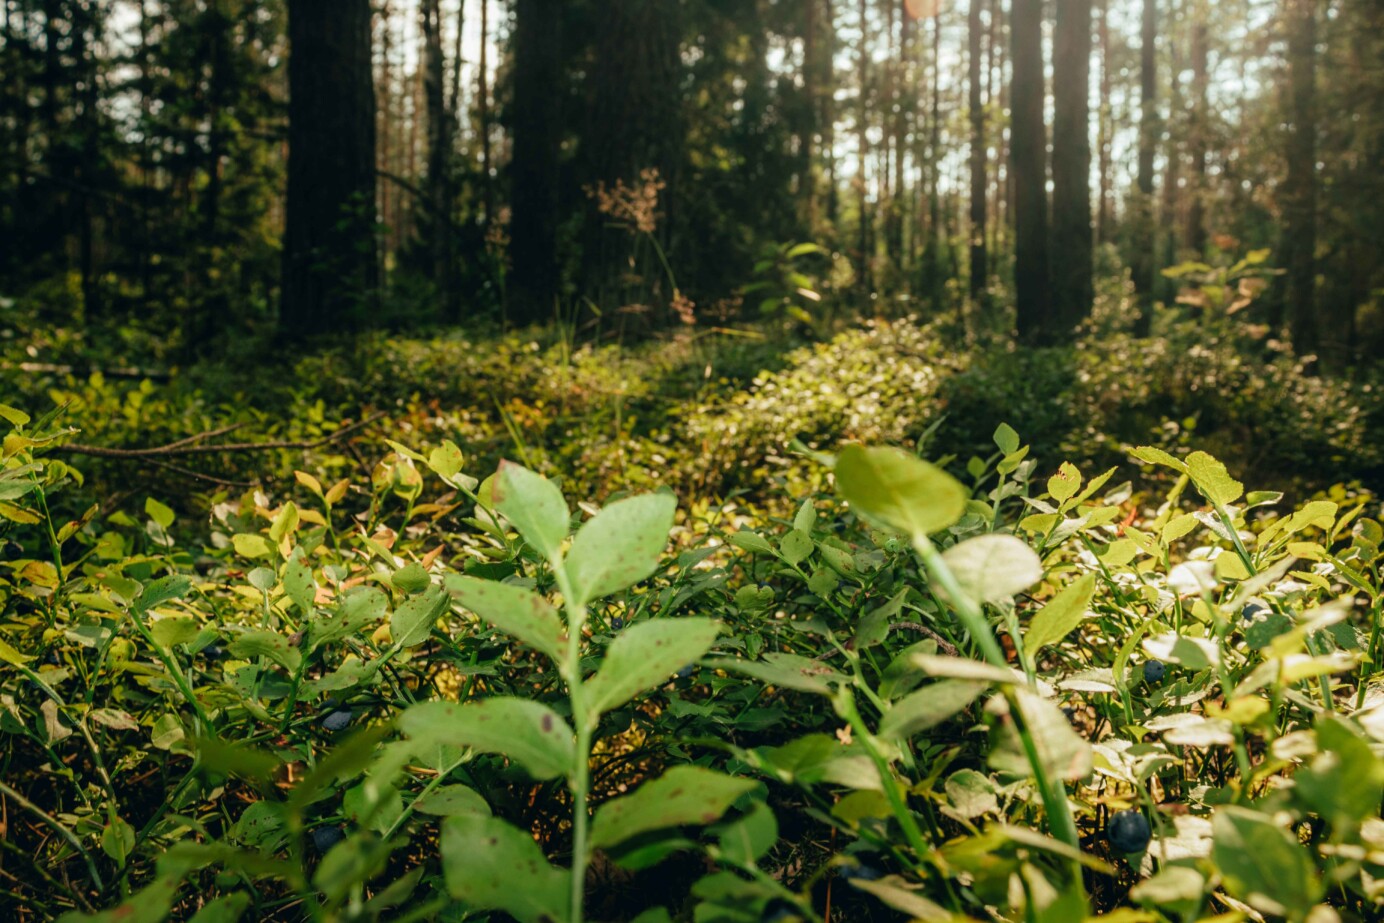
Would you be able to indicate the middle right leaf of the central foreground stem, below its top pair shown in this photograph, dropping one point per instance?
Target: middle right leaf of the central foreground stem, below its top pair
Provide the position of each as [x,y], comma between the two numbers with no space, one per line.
[644,657]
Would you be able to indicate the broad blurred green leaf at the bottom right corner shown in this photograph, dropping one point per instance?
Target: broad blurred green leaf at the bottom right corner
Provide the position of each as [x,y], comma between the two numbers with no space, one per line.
[1263,864]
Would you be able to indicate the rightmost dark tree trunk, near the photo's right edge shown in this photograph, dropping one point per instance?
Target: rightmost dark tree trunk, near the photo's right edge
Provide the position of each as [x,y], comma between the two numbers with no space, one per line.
[1300,192]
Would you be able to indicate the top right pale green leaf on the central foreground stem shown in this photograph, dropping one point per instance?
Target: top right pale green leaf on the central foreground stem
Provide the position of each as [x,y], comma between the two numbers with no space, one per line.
[621,546]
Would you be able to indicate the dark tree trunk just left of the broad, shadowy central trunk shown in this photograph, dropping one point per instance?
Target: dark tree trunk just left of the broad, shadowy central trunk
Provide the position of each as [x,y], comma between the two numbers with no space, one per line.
[534,280]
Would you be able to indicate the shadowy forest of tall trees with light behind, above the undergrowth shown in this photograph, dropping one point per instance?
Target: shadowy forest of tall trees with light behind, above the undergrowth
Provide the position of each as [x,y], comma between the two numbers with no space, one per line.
[226,170]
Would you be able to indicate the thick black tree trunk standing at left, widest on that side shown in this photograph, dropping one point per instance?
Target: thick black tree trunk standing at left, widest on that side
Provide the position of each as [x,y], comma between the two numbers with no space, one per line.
[330,259]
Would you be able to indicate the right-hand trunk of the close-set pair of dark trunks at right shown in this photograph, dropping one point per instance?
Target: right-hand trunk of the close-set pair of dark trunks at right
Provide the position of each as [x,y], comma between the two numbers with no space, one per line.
[1072,239]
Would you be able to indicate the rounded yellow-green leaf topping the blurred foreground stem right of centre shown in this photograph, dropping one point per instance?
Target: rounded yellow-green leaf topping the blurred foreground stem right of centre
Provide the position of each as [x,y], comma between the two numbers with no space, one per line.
[898,491]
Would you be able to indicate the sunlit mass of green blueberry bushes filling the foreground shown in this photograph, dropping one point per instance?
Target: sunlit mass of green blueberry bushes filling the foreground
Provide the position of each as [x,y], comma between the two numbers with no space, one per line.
[426,695]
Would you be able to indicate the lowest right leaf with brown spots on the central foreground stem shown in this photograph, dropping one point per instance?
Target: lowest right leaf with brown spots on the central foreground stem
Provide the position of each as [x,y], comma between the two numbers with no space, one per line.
[683,795]
